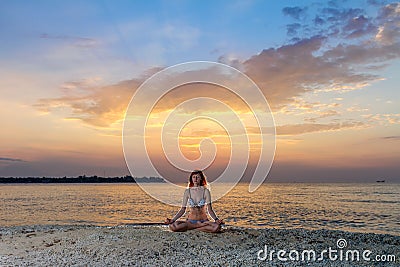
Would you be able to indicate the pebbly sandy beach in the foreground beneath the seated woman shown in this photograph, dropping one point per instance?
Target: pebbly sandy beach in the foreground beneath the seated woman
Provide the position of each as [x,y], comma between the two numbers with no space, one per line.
[158,246]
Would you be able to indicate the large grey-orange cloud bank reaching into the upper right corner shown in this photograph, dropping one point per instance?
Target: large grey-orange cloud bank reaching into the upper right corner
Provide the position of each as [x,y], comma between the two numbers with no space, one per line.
[330,59]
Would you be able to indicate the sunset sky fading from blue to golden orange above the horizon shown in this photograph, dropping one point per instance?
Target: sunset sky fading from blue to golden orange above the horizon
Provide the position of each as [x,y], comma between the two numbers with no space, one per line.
[328,69]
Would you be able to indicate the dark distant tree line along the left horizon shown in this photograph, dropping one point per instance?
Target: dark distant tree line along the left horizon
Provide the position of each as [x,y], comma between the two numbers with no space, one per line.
[81,179]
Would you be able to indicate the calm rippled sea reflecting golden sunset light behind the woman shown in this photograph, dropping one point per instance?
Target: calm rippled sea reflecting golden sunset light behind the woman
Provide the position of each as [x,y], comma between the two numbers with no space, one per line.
[350,207]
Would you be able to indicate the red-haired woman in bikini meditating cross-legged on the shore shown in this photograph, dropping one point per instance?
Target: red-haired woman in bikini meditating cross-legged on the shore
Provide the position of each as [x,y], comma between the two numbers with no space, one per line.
[198,197]
